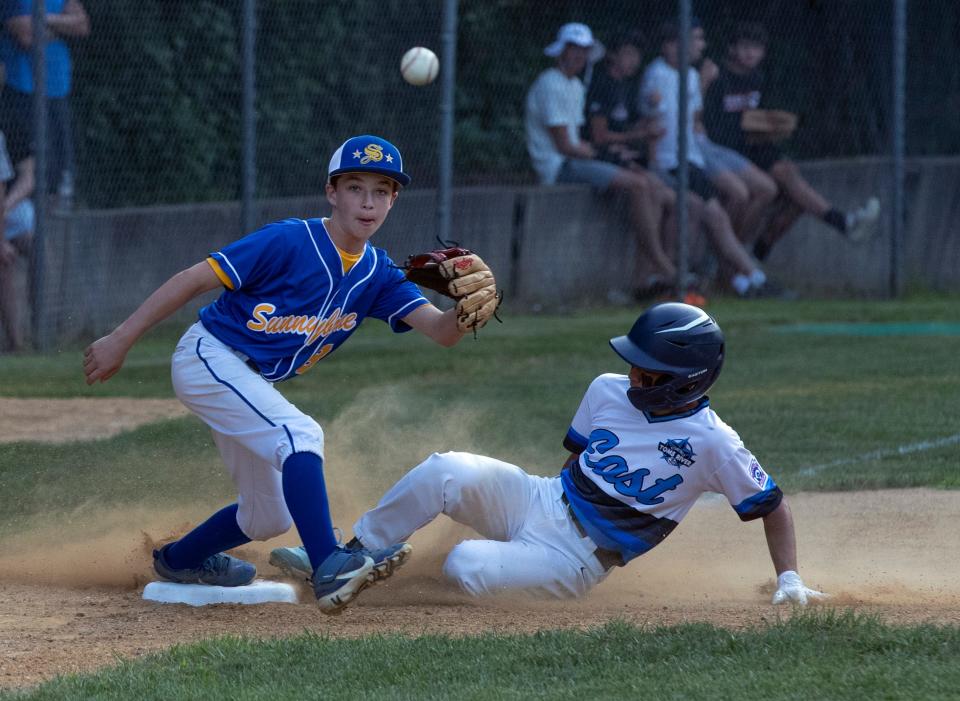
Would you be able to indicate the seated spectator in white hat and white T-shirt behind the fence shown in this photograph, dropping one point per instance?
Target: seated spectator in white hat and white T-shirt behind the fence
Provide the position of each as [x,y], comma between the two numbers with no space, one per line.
[554,114]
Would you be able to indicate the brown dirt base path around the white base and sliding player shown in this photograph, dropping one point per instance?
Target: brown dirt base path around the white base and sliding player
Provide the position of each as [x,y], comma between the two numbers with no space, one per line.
[79,607]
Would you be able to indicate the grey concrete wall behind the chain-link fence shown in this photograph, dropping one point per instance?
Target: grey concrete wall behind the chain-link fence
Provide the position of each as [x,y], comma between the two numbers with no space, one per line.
[557,247]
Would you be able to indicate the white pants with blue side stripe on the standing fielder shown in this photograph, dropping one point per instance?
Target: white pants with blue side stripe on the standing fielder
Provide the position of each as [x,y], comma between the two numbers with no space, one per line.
[254,426]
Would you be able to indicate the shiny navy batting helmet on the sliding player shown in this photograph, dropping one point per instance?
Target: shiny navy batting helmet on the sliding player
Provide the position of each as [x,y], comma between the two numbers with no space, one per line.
[679,341]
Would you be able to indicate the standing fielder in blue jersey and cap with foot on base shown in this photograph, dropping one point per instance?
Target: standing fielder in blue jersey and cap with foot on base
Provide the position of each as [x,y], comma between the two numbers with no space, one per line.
[294,291]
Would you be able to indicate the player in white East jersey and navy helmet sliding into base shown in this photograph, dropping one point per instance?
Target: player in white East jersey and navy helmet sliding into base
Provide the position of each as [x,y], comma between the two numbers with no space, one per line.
[644,446]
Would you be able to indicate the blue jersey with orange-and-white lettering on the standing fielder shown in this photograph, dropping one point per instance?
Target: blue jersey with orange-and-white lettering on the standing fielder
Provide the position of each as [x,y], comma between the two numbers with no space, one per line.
[288,302]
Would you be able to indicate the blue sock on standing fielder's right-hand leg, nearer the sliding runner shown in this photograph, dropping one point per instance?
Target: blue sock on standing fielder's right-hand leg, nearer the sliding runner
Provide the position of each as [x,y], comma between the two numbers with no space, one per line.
[306,495]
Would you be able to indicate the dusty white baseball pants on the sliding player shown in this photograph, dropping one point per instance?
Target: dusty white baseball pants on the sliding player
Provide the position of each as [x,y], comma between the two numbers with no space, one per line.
[531,544]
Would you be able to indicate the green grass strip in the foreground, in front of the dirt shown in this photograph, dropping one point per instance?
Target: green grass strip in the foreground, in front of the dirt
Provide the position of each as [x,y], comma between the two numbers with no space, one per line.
[813,656]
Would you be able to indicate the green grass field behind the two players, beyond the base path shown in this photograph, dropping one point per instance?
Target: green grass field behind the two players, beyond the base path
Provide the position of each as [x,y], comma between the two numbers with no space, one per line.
[799,401]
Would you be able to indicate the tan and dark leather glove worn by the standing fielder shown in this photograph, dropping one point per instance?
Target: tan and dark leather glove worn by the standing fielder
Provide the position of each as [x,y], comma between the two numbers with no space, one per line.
[462,275]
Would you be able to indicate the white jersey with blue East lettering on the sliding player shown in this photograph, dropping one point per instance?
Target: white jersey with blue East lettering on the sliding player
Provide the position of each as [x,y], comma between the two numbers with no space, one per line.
[638,475]
